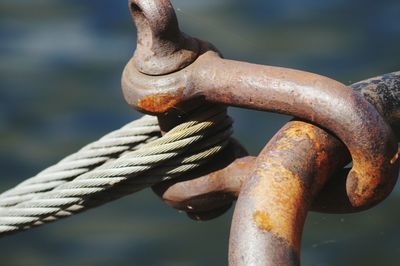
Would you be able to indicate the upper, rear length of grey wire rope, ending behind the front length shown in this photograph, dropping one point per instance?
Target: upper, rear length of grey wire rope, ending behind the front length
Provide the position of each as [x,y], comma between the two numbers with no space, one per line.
[87,158]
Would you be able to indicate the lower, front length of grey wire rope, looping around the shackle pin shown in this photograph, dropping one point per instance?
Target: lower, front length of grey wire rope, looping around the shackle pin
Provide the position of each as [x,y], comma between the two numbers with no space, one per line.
[182,149]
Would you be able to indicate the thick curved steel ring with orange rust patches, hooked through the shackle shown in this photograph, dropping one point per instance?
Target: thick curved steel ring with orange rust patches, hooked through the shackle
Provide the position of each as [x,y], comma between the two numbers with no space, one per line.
[273,203]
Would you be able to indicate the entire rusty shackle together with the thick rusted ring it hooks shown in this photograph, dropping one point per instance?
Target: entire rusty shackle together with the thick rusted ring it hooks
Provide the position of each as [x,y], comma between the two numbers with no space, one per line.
[300,169]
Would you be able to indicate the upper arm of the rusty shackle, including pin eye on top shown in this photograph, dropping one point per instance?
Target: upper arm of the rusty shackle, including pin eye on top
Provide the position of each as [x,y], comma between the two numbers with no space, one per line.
[312,97]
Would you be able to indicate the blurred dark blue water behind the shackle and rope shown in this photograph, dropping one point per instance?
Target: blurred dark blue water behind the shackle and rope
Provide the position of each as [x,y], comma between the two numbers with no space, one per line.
[60,67]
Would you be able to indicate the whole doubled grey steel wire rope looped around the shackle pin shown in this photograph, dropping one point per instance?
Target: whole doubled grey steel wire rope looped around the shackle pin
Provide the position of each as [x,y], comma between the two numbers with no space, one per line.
[94,176]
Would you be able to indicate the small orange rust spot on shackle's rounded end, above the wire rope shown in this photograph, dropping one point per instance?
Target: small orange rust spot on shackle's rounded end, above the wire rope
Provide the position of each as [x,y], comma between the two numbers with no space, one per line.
[159,103]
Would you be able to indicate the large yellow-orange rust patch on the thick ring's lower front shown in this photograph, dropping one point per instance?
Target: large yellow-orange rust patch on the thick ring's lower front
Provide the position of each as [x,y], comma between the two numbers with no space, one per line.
[279,193]
